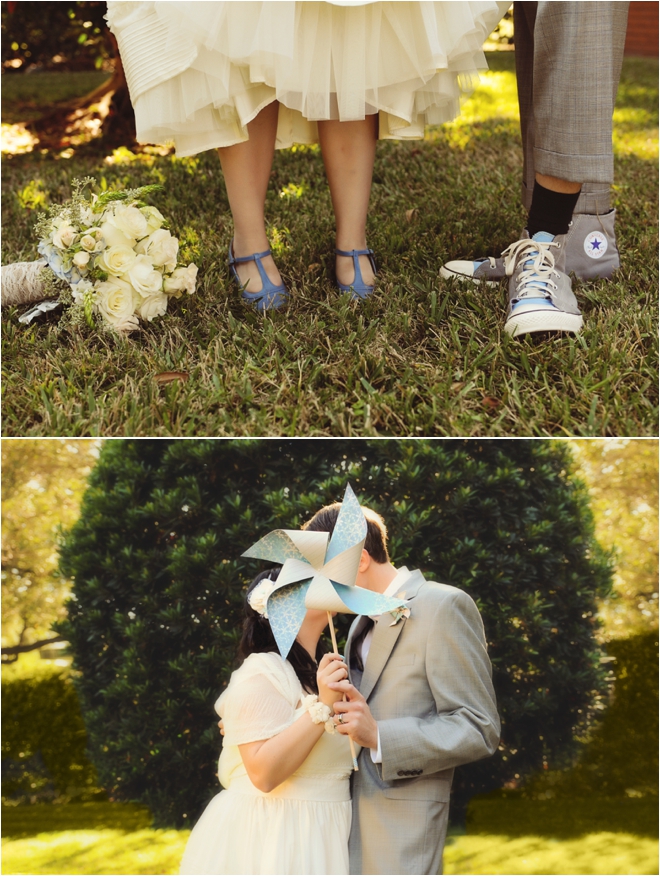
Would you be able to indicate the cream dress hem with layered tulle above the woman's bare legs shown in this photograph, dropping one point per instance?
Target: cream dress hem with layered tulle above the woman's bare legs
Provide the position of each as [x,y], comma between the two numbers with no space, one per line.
[198,72]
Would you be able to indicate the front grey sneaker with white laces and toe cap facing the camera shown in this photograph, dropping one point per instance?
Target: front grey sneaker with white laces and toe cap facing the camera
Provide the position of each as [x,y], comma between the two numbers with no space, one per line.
[540,293]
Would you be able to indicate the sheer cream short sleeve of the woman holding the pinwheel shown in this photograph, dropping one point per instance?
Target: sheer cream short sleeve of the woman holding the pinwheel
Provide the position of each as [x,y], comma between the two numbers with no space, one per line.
[260,701]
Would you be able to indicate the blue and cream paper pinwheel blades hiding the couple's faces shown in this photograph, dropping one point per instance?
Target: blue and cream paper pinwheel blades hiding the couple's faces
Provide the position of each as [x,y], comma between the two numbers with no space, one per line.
[317,573]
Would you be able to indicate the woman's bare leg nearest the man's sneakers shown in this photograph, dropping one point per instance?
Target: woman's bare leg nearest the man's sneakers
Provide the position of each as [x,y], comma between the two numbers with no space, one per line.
[349,149]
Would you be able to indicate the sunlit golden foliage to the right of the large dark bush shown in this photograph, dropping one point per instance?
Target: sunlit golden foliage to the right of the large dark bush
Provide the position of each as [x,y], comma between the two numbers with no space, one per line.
[622,476]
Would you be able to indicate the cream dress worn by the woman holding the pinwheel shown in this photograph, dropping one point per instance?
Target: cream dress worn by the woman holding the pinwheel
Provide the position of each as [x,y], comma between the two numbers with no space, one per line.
[300,827]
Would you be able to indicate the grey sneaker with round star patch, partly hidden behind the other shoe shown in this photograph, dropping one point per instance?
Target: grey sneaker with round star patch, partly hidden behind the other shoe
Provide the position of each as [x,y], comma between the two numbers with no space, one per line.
[590,251]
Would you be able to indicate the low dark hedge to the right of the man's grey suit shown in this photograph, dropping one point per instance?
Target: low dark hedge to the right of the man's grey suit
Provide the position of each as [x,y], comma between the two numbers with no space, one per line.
[614,784]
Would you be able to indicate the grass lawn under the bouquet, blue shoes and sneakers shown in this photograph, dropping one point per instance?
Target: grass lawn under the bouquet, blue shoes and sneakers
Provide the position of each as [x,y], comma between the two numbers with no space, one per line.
[423,357]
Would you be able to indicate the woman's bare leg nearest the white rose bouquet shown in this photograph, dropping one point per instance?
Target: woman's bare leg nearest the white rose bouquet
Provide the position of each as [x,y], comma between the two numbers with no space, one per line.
[246,168]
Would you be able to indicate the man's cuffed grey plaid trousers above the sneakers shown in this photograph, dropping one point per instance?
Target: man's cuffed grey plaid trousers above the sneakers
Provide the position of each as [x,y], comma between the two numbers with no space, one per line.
[568,63]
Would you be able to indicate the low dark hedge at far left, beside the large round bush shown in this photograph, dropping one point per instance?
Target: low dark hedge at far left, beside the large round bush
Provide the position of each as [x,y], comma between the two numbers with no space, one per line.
[44,738]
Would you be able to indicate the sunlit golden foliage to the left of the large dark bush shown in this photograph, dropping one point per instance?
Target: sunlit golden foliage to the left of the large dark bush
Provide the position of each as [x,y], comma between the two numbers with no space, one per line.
[42,484]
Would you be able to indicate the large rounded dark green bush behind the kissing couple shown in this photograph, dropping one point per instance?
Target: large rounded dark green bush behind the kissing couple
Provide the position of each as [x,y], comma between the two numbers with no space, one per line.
[155,615]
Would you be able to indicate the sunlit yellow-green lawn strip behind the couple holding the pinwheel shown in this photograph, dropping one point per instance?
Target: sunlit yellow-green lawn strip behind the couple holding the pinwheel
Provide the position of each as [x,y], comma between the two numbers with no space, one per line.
[105,838]
